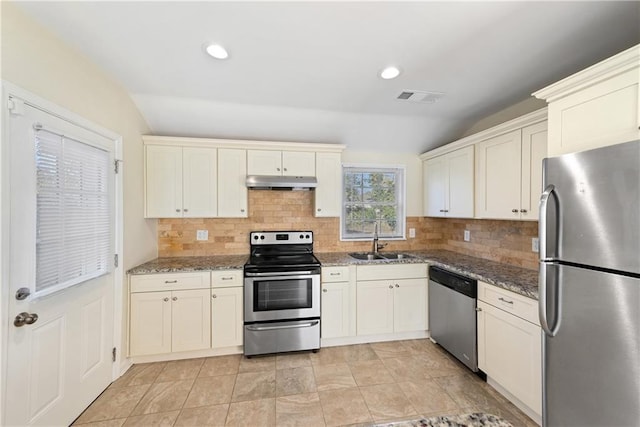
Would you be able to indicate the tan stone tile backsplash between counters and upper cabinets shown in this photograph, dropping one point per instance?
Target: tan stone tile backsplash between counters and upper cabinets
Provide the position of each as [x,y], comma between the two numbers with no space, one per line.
[501,241]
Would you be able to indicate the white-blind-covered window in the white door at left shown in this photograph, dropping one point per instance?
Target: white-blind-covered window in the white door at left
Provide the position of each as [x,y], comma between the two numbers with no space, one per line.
[74,221]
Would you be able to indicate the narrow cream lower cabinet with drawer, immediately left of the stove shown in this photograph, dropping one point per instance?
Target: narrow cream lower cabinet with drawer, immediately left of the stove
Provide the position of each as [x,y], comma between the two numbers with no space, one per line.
[227,315]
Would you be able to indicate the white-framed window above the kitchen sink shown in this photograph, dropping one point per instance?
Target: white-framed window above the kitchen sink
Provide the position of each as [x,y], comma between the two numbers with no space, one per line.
[372,195]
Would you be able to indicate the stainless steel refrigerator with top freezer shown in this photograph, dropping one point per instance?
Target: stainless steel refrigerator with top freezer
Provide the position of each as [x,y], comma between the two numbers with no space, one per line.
[590,287]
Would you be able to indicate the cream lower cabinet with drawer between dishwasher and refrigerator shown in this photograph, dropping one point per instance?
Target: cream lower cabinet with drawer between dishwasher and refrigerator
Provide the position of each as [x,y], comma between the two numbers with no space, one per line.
[510,345]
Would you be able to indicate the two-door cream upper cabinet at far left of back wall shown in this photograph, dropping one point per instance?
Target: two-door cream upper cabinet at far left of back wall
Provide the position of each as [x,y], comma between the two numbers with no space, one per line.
[180,182]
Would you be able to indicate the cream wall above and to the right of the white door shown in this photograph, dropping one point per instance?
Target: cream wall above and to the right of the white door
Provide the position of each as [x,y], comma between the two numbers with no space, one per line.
[37,61]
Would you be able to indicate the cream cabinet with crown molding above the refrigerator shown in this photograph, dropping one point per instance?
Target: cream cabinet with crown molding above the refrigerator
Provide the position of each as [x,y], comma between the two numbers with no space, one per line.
[596,107]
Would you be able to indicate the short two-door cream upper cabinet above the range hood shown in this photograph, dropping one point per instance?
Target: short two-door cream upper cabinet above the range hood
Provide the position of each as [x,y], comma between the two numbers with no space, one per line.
[286,163]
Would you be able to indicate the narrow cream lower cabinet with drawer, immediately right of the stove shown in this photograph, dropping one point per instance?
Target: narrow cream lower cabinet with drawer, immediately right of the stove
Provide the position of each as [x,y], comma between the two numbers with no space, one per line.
[338,303]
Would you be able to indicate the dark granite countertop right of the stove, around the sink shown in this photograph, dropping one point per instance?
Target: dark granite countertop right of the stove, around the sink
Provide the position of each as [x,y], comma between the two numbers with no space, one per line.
[516,279]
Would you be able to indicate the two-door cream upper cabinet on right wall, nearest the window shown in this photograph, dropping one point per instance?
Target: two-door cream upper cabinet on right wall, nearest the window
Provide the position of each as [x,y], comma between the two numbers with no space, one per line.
[448,183]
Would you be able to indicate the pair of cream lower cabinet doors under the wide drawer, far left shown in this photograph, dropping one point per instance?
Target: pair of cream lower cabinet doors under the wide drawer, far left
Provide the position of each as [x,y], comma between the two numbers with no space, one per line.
[169,321]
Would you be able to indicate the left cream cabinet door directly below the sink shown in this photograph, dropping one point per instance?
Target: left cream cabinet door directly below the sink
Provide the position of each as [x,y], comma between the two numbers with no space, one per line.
[374,307]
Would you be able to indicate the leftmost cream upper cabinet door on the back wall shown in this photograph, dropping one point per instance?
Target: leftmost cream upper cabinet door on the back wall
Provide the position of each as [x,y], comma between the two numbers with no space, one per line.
[163,182]
